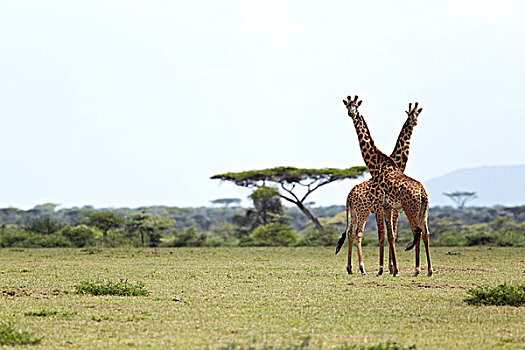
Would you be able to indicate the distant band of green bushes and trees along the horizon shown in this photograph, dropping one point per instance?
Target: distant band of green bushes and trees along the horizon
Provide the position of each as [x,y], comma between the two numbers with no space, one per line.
[45,226]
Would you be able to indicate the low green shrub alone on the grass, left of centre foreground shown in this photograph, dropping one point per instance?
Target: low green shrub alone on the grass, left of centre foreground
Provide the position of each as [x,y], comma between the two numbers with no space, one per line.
[107,287]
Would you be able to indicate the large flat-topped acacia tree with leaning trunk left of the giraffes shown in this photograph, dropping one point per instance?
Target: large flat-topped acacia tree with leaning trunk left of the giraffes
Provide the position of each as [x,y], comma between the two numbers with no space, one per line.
[288,178]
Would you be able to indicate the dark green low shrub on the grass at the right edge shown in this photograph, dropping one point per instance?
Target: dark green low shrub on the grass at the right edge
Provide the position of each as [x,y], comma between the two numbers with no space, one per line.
[503,294]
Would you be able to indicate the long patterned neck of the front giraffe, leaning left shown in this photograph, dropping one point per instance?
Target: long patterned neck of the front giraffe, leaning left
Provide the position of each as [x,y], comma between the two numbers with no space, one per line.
[372,156]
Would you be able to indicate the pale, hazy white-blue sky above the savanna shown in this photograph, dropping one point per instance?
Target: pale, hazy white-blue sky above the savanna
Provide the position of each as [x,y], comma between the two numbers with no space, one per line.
[131,103]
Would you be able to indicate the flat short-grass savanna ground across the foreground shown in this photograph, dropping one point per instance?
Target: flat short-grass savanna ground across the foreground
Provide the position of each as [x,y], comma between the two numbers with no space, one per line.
[213,298]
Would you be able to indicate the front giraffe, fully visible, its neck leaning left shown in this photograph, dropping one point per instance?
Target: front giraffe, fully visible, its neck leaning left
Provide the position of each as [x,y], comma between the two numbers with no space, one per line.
[391,190]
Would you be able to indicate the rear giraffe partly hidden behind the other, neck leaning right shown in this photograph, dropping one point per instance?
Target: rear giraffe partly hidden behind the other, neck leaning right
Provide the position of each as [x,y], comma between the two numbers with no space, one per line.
[359,204]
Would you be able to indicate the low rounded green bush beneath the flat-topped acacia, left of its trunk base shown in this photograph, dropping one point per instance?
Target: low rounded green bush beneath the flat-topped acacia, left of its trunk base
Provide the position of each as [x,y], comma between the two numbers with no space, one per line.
[272,234]
